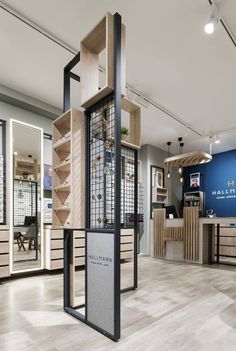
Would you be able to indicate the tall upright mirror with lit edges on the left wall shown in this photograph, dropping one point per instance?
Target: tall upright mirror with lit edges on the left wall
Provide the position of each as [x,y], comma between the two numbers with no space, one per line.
[27,199]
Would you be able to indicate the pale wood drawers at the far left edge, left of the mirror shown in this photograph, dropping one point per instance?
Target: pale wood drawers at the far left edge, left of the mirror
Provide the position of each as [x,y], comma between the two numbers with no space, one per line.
[4,253]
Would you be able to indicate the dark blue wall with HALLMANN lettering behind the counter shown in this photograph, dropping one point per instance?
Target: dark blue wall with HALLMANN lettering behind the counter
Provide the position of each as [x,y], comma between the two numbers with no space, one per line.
[218,181]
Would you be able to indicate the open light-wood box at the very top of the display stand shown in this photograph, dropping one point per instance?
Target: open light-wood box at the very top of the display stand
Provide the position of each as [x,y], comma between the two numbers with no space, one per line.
[100,38]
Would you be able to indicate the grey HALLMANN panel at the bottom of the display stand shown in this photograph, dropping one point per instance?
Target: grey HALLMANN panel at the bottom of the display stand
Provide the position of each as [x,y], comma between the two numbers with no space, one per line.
[100,280]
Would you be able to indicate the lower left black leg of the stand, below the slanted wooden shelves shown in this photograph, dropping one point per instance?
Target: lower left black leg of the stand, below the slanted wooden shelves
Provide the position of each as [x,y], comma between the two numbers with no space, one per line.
[67,260]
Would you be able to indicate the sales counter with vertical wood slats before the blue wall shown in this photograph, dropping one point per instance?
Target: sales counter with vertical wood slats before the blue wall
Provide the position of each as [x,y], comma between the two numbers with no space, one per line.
[190,239]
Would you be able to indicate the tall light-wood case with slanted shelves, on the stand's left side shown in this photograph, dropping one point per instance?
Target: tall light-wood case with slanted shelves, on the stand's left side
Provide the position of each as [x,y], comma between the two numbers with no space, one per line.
[68,170]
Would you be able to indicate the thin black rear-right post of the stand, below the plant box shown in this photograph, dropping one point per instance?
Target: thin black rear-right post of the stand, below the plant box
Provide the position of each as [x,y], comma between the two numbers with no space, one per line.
[135,219]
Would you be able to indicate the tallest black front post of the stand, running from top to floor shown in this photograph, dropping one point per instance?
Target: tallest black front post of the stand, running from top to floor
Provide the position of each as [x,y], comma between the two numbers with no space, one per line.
[117,152]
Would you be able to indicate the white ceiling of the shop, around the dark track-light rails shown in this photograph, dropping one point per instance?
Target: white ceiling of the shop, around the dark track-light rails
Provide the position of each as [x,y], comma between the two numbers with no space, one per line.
[169,59]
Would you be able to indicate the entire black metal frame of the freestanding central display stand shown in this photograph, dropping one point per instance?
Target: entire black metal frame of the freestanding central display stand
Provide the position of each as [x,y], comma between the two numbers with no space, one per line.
[68,233]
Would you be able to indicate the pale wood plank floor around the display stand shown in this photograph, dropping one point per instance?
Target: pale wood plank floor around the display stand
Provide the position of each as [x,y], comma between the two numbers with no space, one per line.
[178,307]
